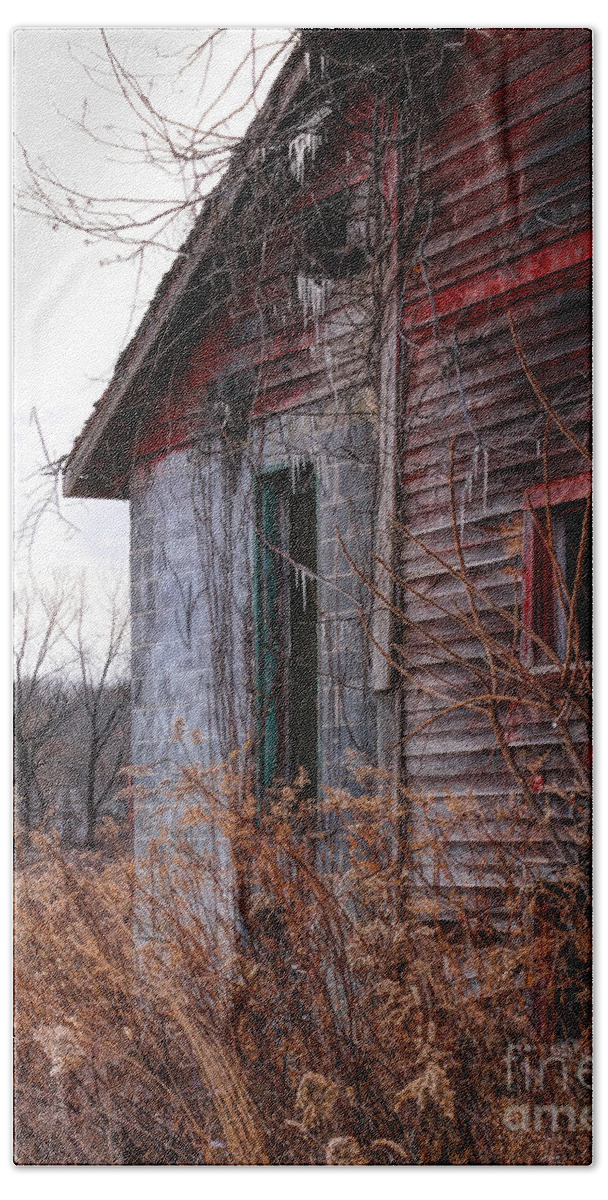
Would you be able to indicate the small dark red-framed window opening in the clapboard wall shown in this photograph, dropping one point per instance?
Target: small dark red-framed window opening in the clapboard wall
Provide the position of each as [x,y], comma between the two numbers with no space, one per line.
[558,580]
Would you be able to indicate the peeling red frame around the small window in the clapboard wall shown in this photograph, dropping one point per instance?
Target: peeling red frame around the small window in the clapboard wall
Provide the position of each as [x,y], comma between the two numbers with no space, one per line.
[539,579]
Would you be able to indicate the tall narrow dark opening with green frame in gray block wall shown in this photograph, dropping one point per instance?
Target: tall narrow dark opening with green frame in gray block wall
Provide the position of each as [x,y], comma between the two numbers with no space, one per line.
[286,627]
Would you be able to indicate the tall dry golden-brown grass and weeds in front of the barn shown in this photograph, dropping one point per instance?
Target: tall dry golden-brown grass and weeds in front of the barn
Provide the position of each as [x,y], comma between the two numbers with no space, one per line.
[359,1015]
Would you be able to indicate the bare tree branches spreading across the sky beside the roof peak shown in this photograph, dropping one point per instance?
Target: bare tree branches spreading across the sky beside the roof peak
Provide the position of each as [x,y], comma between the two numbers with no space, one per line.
[188,154]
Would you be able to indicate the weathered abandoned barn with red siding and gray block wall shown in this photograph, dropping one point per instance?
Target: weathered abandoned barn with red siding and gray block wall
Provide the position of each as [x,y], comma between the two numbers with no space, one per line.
[353,430]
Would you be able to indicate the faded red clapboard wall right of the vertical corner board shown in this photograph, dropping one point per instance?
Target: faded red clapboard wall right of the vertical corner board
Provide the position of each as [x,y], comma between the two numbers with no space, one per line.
[509,176]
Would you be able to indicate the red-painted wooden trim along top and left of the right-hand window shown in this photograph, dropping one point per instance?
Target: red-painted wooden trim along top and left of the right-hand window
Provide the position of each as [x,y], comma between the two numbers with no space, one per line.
[541,497]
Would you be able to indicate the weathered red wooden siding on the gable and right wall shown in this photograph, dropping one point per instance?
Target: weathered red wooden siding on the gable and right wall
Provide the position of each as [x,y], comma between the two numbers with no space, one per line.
[503,195]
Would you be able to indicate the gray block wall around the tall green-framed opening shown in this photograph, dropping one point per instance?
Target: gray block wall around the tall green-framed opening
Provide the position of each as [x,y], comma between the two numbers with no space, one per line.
[192,530]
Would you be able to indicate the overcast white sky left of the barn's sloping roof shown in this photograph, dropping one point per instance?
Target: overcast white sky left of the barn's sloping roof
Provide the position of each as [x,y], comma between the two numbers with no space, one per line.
[74,316]
